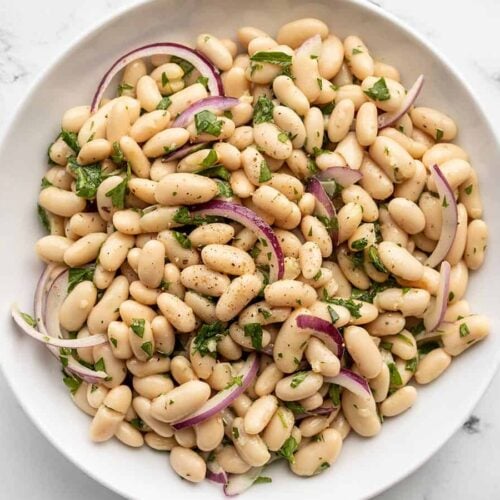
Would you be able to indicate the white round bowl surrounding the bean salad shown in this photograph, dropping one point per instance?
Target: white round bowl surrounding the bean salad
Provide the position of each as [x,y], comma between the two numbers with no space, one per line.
[365,467]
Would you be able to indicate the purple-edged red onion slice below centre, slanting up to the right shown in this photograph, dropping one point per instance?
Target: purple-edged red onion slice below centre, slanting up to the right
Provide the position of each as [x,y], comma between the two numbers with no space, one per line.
[223,398]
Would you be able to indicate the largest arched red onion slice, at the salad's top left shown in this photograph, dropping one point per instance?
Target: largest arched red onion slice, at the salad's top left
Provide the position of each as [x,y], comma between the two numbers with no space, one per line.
[199,61]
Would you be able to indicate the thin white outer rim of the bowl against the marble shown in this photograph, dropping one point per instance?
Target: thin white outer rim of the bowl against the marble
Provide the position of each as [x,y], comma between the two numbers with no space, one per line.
[377,10]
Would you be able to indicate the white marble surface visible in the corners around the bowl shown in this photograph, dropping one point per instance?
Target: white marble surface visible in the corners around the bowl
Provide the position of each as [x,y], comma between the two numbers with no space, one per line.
[32,34]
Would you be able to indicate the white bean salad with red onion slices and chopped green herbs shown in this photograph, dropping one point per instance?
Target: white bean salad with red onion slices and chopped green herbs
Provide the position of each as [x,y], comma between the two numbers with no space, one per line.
[255,248]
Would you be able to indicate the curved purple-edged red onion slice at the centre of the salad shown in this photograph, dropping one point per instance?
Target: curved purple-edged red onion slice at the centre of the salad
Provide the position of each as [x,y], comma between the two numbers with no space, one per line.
[252,221]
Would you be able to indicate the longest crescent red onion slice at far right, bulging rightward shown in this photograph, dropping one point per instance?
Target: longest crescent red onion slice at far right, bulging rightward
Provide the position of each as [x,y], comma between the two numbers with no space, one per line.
[449,218]
